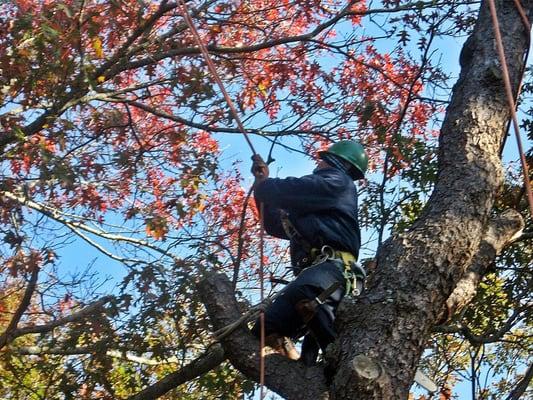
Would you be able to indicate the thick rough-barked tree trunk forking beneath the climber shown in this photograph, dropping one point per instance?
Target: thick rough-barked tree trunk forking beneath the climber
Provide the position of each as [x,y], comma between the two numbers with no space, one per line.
[383,334]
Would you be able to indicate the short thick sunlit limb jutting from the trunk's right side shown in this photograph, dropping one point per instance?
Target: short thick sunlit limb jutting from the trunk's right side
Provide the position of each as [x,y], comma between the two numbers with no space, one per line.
[500,232]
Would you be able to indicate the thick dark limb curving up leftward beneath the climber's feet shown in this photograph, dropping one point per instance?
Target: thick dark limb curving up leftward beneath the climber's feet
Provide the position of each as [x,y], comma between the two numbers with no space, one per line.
[288,378]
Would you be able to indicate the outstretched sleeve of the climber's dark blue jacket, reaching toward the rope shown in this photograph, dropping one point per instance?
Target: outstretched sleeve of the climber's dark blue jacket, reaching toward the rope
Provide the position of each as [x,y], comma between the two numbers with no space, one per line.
[306,194]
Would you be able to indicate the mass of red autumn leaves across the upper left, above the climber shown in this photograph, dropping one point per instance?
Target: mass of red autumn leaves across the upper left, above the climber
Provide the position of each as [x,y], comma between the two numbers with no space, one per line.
[109,111]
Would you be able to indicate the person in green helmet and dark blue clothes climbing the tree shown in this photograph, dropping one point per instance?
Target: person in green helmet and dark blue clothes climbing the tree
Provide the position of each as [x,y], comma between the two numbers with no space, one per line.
[318,214]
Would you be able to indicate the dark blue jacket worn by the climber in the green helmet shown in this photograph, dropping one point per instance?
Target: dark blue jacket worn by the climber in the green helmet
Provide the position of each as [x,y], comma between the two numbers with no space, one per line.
[321,206]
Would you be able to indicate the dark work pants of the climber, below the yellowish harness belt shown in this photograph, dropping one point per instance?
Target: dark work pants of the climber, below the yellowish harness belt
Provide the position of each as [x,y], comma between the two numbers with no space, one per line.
[282,318]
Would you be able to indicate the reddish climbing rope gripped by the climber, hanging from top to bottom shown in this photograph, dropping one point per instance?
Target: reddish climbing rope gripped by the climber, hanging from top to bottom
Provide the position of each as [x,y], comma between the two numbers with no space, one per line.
[233,110]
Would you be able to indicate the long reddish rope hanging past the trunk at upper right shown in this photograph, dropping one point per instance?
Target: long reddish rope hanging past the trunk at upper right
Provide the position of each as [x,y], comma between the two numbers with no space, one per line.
[510,99]
